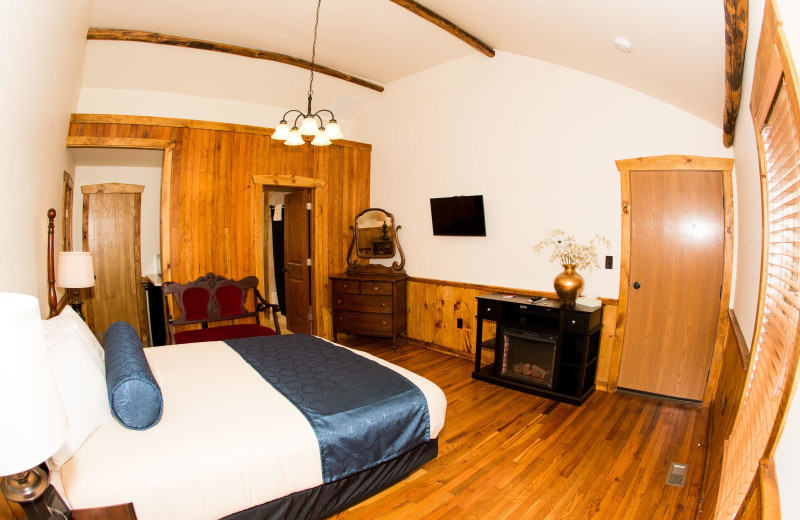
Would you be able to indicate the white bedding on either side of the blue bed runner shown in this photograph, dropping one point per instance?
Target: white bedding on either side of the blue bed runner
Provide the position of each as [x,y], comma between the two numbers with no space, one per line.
[227,441]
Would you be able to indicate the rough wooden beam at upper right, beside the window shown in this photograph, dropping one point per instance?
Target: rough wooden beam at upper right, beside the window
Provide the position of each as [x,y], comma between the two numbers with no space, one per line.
[736,26]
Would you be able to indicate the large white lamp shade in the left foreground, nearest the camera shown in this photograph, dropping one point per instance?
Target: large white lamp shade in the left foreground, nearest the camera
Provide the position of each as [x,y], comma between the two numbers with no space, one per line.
[34,422]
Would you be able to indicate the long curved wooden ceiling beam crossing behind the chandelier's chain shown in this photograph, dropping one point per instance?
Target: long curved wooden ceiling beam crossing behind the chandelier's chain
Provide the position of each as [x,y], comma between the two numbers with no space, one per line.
[247,52]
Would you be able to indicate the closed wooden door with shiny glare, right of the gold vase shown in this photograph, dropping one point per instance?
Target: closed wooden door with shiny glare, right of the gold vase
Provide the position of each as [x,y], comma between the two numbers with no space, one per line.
[675,284]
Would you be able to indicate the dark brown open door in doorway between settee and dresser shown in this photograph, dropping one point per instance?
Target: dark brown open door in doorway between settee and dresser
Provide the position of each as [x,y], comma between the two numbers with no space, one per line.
[296,255]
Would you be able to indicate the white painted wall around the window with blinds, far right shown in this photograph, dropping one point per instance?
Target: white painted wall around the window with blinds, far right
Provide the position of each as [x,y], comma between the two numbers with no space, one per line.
[748,255]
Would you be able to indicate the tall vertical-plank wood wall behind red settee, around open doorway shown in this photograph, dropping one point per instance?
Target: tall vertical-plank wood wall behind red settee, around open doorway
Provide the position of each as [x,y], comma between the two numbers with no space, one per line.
[215,216]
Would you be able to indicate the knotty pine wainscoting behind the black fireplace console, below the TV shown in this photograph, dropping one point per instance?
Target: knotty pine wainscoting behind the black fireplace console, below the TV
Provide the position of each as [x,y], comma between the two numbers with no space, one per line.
[434,307]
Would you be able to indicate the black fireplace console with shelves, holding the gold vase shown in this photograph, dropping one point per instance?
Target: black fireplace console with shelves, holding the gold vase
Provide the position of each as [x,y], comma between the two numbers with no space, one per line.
[540,347]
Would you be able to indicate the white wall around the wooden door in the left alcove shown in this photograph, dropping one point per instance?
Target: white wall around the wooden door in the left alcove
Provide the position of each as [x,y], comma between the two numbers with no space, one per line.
[150,178]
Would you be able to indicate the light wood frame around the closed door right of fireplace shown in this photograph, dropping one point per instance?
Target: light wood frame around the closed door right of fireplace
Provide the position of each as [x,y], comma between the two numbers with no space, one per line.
[687,163]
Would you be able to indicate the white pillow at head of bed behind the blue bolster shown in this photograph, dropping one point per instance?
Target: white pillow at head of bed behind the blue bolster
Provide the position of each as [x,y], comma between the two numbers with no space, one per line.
[81,381]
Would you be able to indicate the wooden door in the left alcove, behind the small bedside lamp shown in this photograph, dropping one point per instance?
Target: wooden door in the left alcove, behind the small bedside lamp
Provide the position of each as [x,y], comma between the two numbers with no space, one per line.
[111,231]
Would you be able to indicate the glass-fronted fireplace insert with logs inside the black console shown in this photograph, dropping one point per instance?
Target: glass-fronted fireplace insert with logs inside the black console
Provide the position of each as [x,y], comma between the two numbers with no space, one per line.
[528,356]
